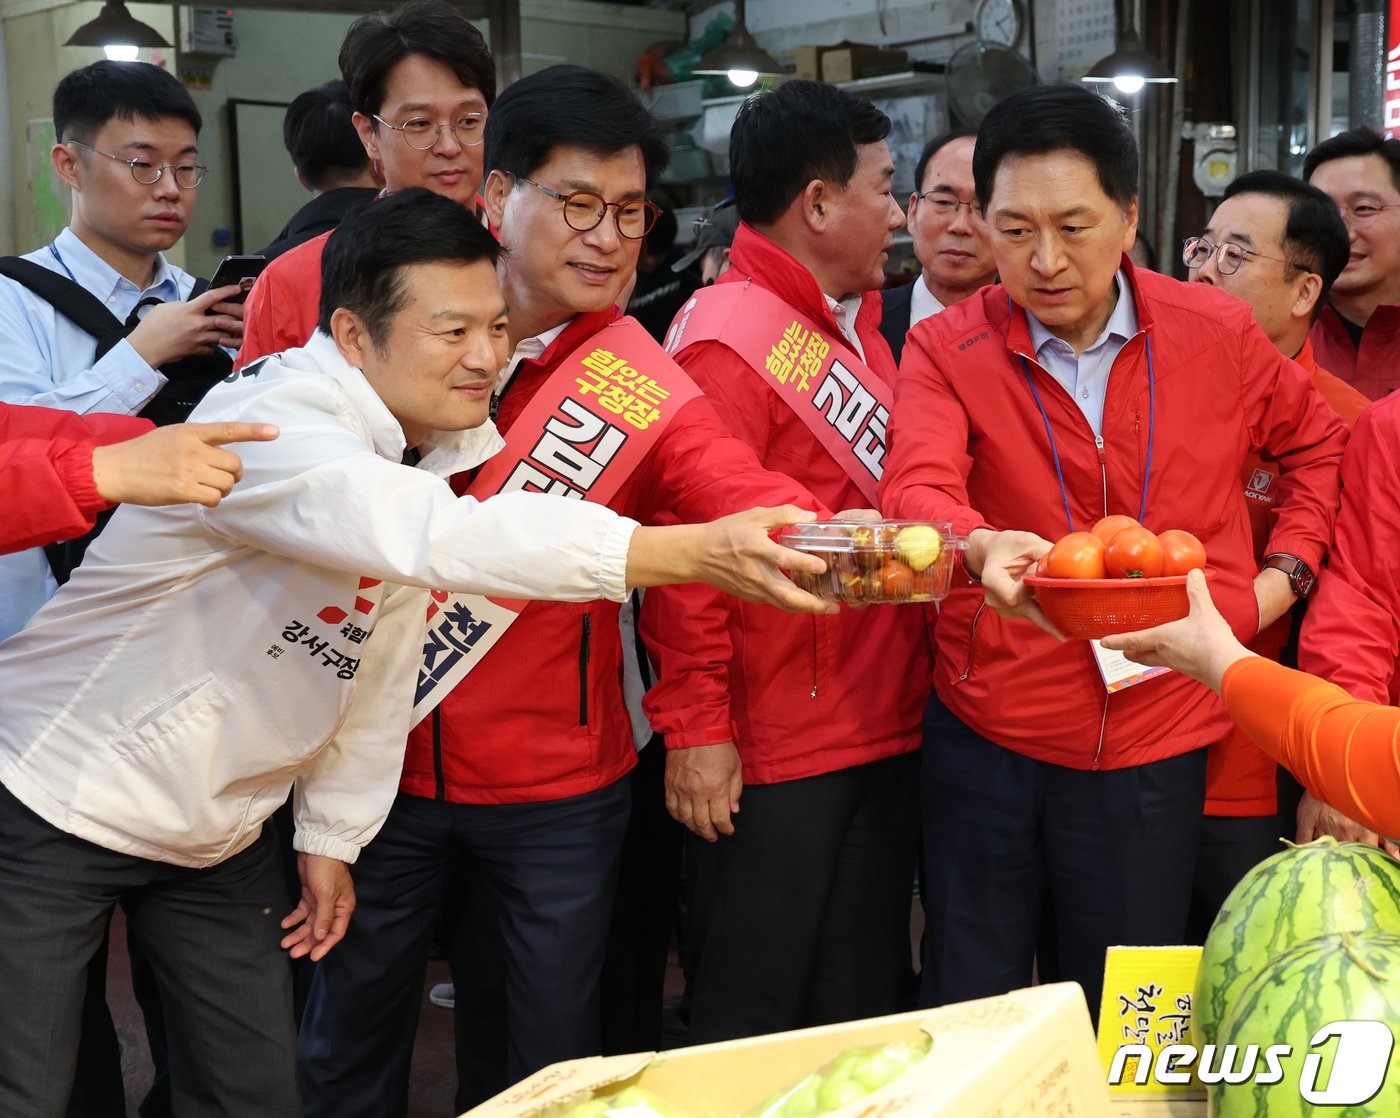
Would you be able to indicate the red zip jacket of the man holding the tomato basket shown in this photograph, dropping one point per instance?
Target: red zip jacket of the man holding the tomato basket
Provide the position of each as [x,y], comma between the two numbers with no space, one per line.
[968,444]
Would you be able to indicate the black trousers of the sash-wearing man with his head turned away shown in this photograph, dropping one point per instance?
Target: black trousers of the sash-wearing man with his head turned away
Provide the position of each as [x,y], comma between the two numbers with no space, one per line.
[801,916]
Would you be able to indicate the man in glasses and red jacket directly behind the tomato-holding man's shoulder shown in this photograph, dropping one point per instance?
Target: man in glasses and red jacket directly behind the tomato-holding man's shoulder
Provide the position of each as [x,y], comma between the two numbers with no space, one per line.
[1279,244]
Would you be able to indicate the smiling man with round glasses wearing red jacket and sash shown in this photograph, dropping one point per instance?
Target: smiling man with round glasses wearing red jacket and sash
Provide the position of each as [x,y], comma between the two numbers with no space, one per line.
[521,773]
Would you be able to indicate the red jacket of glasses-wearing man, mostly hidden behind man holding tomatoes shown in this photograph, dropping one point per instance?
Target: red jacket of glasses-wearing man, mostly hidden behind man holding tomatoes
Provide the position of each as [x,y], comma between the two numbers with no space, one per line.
[1241,780]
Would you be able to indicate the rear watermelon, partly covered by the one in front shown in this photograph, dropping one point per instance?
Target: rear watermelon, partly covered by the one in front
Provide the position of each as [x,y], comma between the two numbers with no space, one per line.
[1300,893]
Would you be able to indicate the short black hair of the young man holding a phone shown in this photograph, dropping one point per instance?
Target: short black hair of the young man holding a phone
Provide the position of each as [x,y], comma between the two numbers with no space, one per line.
[87,99]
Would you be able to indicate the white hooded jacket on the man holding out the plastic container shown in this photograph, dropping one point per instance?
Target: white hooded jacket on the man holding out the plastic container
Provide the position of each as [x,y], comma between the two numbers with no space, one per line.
[204,660]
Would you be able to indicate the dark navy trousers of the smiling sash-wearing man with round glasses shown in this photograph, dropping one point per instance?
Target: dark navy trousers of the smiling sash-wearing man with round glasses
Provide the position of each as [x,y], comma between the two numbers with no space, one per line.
[554,870]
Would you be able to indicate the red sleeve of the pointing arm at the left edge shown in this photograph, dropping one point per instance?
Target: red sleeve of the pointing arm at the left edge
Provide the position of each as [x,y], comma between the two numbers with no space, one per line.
[47,472]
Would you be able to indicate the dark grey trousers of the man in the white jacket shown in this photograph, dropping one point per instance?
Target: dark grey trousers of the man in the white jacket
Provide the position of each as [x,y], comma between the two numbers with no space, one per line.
[211,937]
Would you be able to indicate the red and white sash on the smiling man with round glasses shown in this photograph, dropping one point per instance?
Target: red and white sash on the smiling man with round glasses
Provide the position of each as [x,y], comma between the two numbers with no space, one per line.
[582,436]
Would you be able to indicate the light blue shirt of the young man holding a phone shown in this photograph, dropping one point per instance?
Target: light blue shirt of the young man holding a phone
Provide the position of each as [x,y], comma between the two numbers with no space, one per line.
[47,360]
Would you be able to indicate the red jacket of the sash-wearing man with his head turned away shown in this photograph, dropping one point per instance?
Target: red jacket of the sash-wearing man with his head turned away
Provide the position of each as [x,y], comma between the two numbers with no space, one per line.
[799,695]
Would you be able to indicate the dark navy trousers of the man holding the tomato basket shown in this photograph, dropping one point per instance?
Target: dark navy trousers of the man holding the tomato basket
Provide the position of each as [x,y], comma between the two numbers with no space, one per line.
[1112,853]
